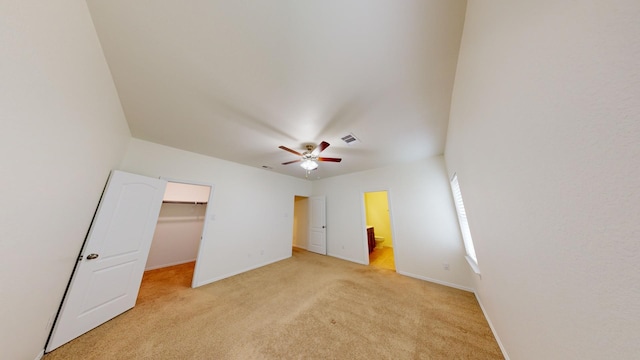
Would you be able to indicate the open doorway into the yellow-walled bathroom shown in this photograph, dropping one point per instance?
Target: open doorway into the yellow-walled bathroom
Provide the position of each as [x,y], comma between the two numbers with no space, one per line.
[379,230]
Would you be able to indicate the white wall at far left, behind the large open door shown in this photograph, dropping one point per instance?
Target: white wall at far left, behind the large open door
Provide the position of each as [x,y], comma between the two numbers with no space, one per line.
[61,131]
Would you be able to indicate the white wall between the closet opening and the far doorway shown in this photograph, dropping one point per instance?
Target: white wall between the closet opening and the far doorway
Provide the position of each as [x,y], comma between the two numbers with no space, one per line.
[251,219]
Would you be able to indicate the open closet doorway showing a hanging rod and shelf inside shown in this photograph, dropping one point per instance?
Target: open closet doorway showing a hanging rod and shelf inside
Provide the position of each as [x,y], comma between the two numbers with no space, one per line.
[176,241]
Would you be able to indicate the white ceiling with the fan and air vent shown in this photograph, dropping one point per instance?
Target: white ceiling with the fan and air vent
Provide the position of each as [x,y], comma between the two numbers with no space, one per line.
[236,79]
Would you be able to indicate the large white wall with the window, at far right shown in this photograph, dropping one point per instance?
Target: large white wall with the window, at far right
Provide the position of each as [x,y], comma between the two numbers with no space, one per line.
[545,138]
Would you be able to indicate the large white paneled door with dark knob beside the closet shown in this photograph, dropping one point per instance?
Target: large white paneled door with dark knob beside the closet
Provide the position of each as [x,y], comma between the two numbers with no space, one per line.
[107,277]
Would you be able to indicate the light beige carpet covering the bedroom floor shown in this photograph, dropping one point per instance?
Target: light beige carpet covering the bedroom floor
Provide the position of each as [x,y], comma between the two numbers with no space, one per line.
[307,307]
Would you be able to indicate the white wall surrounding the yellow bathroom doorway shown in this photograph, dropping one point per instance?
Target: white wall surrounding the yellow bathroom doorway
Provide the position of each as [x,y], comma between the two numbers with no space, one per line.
[424,223]
